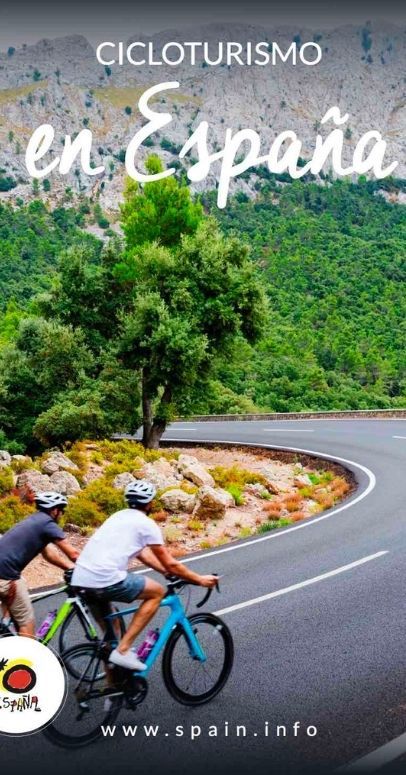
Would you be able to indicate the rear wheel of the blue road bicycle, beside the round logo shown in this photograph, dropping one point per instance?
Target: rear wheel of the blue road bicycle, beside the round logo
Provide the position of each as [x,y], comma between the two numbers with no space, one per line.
[90,704]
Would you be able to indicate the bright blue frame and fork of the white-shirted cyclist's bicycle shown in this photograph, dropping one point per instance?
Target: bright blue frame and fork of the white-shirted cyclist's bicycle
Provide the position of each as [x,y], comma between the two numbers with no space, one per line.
[176,618]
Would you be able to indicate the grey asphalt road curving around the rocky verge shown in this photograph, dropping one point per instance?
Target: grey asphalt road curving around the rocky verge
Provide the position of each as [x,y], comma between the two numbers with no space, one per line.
[329,654]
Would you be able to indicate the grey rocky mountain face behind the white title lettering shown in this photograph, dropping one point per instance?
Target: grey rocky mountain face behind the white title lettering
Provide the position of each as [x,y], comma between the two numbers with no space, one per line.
[60,82]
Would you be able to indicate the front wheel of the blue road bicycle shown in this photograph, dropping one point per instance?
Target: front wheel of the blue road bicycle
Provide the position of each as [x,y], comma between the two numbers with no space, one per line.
[191,681]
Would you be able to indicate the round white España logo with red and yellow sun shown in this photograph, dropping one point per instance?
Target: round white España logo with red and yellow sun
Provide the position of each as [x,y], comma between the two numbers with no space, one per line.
[32,686]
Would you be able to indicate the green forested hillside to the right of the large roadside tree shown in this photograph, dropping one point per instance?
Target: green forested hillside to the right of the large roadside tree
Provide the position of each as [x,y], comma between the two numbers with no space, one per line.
[333,261]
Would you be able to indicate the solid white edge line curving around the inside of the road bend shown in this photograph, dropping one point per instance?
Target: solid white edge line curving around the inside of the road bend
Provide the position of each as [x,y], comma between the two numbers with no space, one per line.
[306,523]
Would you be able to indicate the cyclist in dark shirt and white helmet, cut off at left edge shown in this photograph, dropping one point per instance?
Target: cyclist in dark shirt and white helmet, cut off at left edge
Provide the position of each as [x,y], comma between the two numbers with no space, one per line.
[32,536]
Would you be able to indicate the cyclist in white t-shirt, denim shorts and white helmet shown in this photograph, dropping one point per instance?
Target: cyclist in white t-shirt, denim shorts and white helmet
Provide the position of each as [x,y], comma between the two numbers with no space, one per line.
[102,567]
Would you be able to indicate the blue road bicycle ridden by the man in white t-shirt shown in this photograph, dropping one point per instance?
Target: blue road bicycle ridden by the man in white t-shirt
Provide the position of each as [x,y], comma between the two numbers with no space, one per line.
[197,659]
